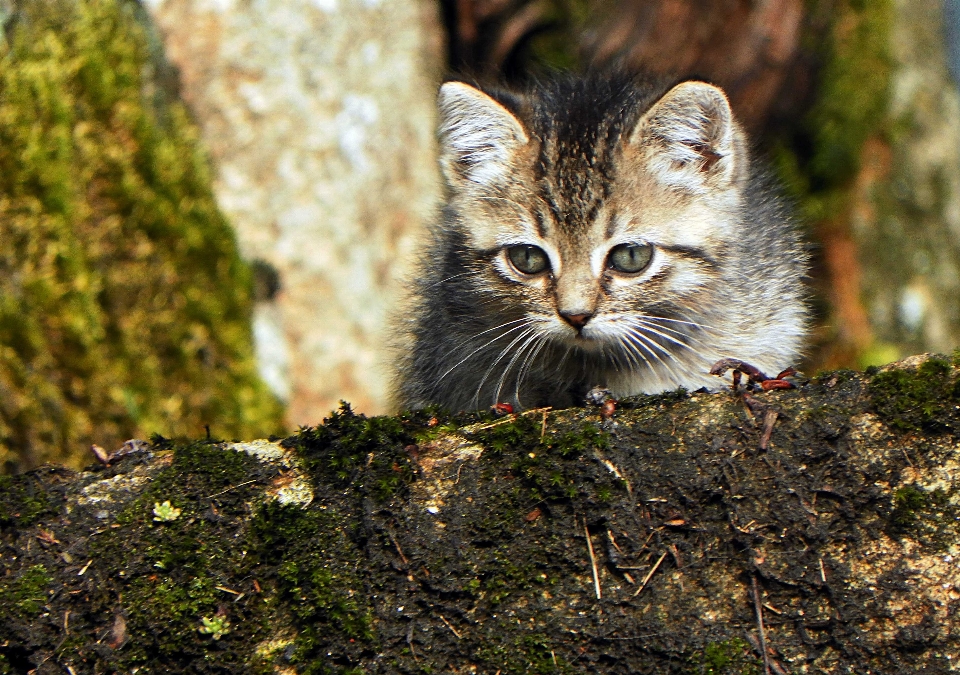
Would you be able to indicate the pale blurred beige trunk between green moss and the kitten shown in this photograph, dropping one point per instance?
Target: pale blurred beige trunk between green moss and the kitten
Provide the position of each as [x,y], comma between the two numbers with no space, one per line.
[319,118]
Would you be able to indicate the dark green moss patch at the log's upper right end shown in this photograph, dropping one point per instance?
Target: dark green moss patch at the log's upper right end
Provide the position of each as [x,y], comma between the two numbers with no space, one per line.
[921,399]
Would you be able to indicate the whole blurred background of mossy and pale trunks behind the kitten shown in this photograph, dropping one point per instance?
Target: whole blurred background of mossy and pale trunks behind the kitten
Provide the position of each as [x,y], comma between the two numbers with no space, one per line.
[207,207]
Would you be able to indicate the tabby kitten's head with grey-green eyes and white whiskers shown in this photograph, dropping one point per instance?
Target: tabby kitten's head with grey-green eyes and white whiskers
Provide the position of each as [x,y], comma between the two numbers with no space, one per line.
[591,208]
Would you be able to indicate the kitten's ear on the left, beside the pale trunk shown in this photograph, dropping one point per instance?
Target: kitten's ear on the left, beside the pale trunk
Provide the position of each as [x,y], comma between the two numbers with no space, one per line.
[478,136]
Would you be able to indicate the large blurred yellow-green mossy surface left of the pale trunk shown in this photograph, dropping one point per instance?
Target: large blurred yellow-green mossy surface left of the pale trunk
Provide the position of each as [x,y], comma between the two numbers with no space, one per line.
[124,306]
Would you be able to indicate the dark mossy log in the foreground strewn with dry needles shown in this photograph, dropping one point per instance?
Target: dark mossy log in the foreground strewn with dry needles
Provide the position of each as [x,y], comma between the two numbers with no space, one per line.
[682,534]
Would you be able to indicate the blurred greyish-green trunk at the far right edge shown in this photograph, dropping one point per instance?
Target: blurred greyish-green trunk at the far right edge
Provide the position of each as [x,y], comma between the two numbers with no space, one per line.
[905,213]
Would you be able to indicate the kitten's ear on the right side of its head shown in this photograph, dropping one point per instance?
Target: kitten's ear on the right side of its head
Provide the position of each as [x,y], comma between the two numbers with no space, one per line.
[689,138]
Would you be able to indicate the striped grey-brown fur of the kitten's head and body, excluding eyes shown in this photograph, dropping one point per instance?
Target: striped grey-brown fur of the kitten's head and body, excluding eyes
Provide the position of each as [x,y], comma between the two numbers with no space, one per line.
[576,167]
